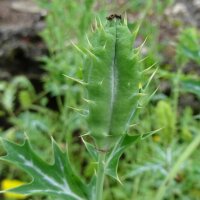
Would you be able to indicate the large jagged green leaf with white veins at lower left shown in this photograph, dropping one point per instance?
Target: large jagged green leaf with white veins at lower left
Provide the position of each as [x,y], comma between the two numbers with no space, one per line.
[56,180]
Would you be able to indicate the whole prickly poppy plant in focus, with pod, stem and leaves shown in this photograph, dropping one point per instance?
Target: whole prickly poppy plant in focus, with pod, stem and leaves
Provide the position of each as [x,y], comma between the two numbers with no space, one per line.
[113,80]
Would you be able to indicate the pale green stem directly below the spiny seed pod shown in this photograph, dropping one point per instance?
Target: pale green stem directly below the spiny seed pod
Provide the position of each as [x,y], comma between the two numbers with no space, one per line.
[100,176]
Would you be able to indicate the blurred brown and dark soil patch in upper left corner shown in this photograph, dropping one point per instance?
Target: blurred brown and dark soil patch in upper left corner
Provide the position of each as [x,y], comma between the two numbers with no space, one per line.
[20,24]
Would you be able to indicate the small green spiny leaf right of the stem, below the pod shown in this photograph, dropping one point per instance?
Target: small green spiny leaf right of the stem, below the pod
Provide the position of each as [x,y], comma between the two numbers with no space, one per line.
[111,164]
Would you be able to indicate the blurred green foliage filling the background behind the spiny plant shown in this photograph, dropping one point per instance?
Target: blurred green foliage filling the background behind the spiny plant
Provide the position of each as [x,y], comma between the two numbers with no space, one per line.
[171,41]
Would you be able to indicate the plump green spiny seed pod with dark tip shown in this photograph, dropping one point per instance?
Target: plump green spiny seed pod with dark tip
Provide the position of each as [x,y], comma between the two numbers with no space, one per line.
[112,72]
